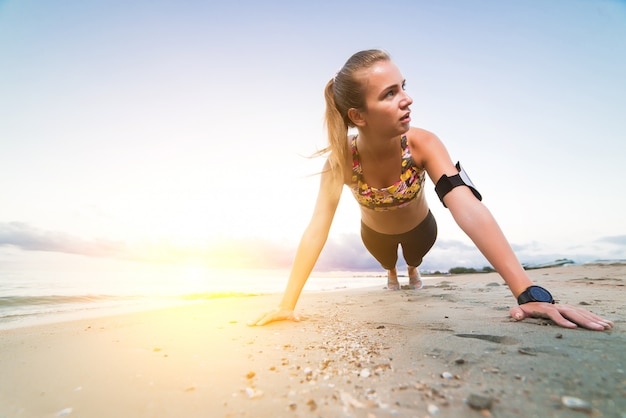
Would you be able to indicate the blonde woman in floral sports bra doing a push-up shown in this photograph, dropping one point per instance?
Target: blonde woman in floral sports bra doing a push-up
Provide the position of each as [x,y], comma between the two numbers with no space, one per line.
[368,94]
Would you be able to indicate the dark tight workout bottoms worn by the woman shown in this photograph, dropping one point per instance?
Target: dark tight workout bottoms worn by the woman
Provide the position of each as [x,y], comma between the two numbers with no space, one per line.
[415,243]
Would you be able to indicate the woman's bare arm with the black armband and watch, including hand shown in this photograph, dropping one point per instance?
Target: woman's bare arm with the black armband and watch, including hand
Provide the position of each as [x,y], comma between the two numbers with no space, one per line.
[477,222]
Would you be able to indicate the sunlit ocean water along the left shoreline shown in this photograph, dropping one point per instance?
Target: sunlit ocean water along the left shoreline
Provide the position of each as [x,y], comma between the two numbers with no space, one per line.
[56,287]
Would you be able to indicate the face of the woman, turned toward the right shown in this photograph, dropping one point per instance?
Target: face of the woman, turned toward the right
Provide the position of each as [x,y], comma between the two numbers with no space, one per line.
[387,103]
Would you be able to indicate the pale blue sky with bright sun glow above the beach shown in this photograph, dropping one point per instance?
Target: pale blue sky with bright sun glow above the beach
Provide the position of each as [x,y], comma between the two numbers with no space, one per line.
[180,131]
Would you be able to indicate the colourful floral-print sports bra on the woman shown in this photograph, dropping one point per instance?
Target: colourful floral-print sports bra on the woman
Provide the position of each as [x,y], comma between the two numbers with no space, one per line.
[399,194]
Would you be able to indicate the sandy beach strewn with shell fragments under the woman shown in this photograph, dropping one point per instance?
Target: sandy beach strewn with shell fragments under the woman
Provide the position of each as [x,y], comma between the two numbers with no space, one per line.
[448,350]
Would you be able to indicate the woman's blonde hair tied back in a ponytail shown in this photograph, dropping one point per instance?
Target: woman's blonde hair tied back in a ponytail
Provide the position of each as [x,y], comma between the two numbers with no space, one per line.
[343,92]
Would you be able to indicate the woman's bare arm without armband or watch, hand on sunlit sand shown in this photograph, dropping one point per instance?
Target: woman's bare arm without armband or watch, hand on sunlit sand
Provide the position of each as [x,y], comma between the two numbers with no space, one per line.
[311,245]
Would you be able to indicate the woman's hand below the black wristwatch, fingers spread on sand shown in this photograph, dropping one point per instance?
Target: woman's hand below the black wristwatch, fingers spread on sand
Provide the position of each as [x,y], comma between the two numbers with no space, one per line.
[566,316]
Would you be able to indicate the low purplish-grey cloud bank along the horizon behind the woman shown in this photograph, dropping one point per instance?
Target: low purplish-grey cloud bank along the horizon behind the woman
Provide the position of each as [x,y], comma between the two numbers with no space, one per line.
[344,252]
